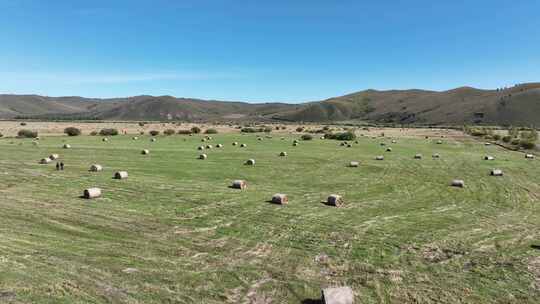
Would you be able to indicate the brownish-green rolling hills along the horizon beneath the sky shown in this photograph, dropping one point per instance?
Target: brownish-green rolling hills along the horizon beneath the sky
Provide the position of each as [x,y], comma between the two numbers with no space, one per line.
[518,105]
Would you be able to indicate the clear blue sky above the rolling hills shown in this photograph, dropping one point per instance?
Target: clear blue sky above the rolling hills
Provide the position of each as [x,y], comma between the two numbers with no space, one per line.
[275,50]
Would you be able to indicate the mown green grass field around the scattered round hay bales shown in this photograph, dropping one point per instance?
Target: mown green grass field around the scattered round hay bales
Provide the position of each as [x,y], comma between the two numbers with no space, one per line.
[174,232]
